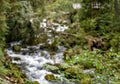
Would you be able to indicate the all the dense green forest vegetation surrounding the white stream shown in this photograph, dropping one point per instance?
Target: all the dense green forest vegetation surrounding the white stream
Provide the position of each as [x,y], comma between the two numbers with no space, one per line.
[97,20]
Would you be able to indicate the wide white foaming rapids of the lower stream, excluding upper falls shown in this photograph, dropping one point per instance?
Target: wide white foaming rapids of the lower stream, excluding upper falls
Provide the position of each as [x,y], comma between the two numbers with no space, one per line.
[33,63]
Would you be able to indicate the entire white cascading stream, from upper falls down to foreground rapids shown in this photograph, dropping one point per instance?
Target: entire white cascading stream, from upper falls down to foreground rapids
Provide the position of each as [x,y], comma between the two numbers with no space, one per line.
[32,58]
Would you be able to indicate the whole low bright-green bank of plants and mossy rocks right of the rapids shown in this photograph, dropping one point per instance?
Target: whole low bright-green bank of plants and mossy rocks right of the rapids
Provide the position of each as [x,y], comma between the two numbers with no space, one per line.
[91,67]
